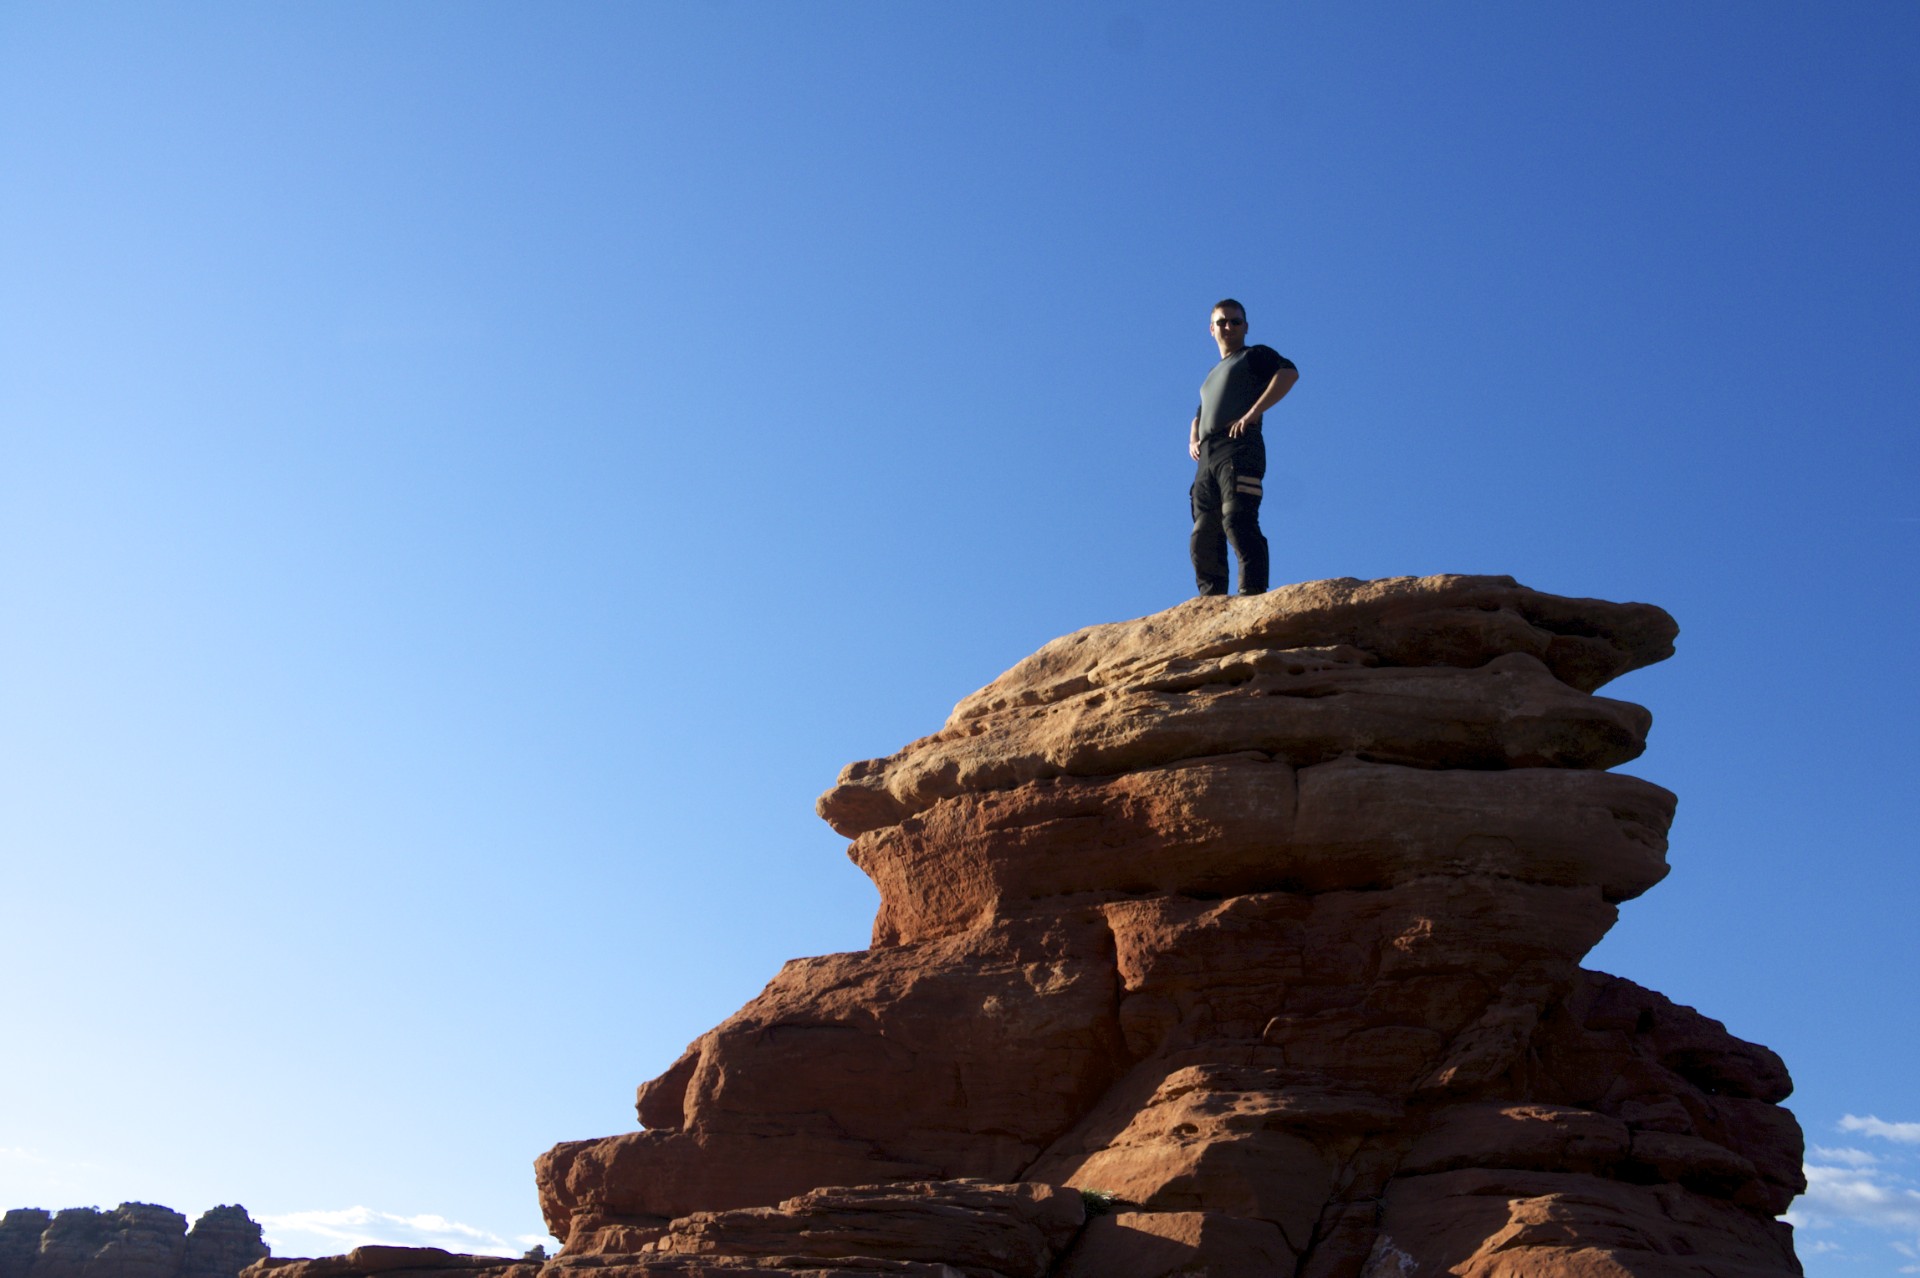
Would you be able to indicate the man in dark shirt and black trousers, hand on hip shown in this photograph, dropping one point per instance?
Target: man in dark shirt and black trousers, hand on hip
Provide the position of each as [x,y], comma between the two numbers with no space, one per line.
[1234,458]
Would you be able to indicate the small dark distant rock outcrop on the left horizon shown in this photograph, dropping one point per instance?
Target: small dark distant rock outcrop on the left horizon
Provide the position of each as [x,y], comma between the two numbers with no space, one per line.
[135,1241]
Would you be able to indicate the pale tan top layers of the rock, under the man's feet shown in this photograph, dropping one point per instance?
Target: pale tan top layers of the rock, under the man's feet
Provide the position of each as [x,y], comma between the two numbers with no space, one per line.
[1431,673]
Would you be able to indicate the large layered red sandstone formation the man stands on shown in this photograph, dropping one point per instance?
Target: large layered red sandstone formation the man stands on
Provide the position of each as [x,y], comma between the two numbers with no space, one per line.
[1259,916]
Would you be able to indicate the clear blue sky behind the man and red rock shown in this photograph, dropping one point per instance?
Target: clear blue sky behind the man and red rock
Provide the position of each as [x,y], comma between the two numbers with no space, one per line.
[473,473]
